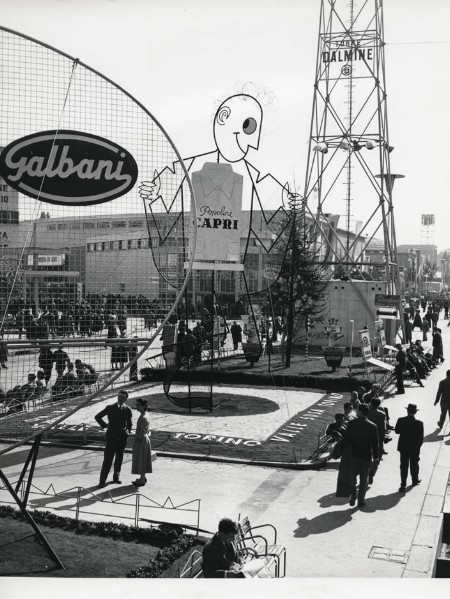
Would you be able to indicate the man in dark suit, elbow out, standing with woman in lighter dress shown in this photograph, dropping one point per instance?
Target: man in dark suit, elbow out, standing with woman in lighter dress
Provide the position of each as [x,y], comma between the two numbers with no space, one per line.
[117,430]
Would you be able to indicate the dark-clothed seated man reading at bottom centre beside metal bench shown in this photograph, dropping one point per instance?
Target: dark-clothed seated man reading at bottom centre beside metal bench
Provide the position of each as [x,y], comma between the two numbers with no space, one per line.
[220,556]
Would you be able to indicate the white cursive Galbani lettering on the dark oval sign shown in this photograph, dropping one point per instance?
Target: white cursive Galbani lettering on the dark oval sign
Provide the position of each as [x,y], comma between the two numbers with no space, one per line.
[63,166]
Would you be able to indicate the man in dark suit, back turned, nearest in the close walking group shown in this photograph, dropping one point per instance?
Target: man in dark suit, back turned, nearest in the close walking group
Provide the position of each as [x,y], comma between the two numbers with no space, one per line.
[362,436]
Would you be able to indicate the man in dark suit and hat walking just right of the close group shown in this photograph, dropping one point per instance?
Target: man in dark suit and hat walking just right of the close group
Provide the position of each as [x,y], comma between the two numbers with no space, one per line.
[409,444]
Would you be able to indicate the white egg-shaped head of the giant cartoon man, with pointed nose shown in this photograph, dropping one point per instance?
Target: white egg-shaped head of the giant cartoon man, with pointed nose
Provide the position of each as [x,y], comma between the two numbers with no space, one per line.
[237,126]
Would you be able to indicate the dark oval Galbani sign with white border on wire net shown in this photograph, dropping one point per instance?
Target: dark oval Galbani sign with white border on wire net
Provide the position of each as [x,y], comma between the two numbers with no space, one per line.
[68,167]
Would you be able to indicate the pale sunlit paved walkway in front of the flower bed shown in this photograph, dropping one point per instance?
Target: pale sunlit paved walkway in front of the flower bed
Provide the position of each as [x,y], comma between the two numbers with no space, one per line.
[394,536]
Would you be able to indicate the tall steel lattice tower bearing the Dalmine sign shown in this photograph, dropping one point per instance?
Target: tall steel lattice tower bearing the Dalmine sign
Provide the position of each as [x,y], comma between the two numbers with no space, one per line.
[348,167]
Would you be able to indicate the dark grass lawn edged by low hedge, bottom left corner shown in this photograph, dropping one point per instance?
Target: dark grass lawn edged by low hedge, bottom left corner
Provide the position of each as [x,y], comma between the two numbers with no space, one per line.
[83,555]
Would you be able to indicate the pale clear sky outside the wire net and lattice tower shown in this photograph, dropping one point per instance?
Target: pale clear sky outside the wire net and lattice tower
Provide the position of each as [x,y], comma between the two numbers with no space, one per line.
[181,58]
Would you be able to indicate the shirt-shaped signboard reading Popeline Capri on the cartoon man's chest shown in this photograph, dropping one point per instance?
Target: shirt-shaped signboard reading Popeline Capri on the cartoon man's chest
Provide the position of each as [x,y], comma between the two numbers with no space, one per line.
[218,191]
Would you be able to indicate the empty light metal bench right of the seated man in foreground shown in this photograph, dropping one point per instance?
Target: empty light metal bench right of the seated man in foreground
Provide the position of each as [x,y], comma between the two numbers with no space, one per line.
[260,546]
